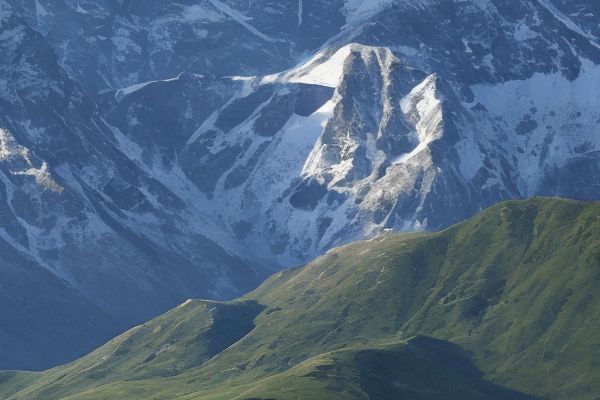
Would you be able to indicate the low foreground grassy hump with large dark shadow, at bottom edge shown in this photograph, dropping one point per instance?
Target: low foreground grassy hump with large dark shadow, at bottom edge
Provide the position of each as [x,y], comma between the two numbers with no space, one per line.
[419,369]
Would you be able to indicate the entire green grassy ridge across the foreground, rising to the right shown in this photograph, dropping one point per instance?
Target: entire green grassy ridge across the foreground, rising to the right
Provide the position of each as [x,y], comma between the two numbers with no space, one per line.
[516,287]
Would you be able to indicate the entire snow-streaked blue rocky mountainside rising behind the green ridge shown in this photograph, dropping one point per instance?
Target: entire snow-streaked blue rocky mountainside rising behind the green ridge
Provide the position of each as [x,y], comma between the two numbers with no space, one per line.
[157,151]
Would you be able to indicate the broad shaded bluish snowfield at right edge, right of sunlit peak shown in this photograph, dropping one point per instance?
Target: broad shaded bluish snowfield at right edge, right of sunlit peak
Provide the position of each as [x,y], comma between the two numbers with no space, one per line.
[545,117]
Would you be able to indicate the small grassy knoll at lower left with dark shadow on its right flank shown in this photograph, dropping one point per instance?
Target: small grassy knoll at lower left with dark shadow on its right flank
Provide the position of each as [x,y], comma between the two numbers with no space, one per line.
[179,340]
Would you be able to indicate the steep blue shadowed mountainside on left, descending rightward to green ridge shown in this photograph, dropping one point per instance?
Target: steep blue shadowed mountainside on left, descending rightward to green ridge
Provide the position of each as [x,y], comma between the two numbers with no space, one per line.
[120,245]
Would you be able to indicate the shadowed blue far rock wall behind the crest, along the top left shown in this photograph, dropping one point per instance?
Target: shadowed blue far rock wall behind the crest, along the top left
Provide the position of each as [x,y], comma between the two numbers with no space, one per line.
[113,44]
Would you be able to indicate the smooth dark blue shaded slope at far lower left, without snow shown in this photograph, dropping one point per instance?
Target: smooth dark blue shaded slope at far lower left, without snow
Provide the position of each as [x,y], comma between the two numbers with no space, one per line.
[34,301]
